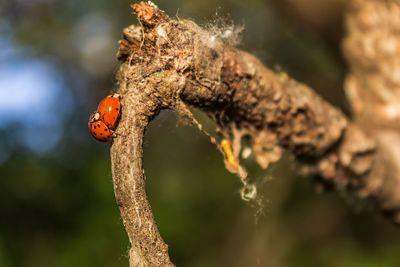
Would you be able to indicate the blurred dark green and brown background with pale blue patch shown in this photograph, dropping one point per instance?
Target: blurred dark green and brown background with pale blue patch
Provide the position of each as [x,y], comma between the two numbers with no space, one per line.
[57,208]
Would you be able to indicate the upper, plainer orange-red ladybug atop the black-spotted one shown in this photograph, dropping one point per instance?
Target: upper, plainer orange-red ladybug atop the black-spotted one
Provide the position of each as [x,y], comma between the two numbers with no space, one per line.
[109,109]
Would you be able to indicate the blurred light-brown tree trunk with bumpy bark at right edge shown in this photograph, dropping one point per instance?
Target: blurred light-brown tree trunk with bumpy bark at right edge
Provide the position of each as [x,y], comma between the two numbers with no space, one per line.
[372,47]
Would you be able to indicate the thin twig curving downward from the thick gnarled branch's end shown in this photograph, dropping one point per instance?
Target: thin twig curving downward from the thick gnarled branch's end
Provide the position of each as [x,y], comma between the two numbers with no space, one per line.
[148,248]
